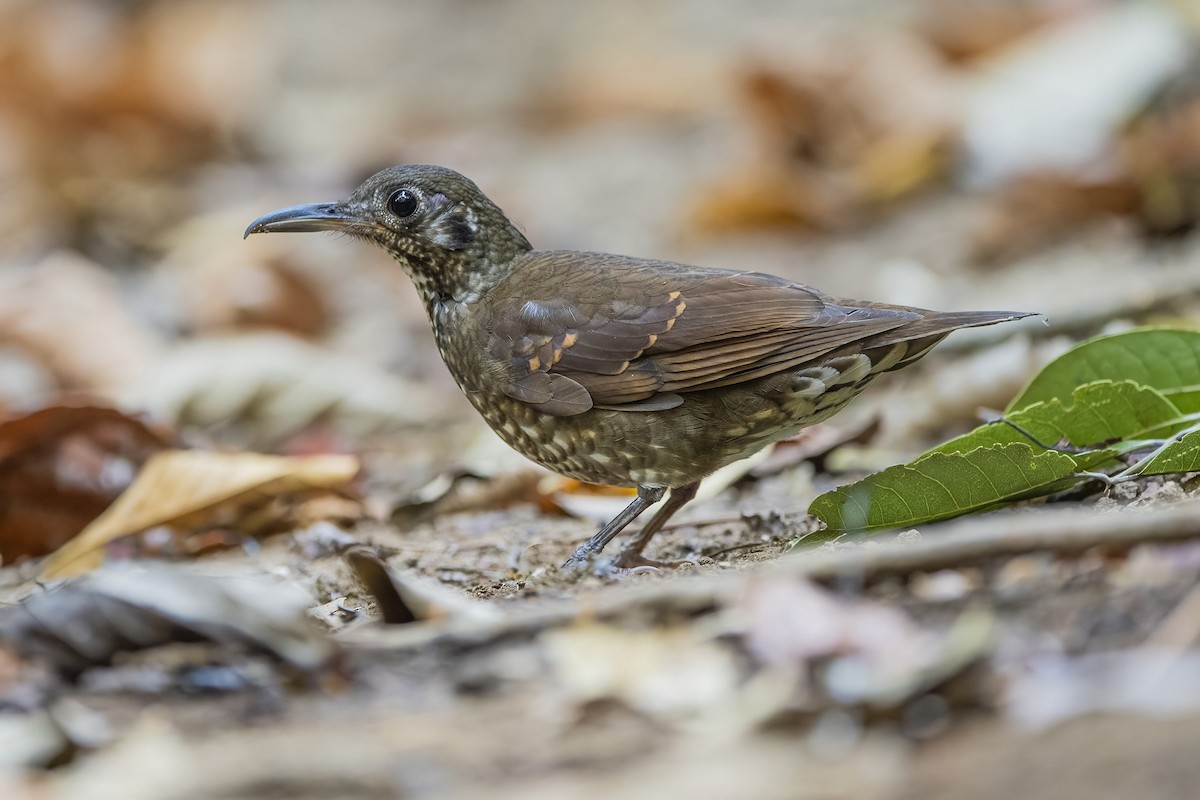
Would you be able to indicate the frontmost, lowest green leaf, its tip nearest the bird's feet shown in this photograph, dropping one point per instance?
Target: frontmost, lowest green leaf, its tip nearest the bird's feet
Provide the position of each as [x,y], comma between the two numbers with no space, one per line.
[941,486]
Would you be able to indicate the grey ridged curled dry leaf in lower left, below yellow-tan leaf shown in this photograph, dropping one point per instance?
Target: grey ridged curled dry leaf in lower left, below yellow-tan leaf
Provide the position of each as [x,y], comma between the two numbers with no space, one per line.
[89,622]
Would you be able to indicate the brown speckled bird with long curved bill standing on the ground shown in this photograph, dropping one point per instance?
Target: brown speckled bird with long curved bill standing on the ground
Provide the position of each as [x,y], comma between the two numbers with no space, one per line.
[614,370]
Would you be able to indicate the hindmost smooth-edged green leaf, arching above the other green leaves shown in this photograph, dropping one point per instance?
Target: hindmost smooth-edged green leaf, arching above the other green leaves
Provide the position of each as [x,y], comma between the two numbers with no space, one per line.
[1160,358]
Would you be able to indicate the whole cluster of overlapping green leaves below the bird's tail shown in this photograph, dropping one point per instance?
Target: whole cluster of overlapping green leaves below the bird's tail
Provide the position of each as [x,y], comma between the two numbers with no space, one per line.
[1109,398]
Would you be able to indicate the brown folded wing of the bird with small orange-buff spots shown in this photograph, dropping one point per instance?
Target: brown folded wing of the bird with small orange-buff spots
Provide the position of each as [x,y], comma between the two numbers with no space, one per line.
[635,335]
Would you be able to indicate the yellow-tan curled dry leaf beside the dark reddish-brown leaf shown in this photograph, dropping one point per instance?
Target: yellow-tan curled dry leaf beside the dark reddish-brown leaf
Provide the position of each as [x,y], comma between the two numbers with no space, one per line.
[187,488]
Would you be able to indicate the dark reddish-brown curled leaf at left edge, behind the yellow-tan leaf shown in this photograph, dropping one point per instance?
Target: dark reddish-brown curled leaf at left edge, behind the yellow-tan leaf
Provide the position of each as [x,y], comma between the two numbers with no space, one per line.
[61,468]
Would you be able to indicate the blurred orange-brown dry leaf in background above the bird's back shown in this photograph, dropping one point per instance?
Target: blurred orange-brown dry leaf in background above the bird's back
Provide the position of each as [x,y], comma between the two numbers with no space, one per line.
[841,136]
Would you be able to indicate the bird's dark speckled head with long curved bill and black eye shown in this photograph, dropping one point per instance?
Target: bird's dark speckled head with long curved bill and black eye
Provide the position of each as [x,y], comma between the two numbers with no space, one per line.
[445,232]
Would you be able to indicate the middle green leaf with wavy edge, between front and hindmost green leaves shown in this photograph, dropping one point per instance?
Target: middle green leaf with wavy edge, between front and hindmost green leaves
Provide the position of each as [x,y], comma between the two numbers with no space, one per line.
[1101,412]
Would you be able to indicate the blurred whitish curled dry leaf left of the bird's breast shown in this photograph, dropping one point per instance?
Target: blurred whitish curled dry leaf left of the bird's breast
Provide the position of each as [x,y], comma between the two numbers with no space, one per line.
[277,386]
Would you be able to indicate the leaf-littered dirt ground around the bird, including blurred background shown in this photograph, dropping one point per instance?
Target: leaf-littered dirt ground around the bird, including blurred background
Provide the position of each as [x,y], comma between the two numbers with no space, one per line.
[407,630]
